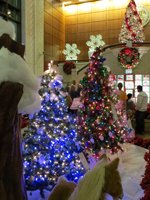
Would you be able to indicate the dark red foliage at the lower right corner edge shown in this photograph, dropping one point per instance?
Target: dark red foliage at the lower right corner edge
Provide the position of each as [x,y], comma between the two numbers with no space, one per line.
[145,184]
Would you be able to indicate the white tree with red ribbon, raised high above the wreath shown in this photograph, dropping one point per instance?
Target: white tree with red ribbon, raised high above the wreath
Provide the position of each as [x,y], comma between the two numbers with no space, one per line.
[132,28]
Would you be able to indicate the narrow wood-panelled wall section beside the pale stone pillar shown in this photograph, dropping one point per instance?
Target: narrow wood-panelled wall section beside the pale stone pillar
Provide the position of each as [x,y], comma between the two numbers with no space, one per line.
[54,31]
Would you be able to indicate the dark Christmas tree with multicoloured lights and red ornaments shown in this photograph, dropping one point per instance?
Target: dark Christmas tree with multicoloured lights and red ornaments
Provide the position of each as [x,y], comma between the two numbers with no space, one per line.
[100,124]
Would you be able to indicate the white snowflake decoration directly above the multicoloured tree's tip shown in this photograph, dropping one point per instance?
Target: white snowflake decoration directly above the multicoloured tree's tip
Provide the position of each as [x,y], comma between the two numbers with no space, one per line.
[95,41]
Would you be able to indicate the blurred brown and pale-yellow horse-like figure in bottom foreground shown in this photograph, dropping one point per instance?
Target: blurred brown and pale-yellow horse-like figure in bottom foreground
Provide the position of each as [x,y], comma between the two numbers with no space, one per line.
[103,179]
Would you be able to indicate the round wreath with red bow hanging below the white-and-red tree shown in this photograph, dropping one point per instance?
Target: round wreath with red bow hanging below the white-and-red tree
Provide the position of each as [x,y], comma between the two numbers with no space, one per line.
[129,57]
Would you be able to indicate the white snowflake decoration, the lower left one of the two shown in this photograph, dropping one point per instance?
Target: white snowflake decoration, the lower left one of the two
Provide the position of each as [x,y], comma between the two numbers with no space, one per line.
[71,51]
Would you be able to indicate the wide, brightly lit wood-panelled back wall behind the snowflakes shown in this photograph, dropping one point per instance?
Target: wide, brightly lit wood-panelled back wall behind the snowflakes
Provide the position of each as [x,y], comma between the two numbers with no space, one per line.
[94,18]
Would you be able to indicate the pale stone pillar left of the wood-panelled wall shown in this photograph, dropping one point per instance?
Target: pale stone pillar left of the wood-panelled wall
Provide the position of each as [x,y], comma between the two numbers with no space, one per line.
[33,33]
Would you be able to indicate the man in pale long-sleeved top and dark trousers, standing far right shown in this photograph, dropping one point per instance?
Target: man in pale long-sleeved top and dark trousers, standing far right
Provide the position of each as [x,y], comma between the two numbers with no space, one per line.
[141,108]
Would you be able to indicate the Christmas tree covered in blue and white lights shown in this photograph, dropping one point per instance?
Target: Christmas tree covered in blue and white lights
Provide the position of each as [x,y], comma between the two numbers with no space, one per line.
[50,146]
